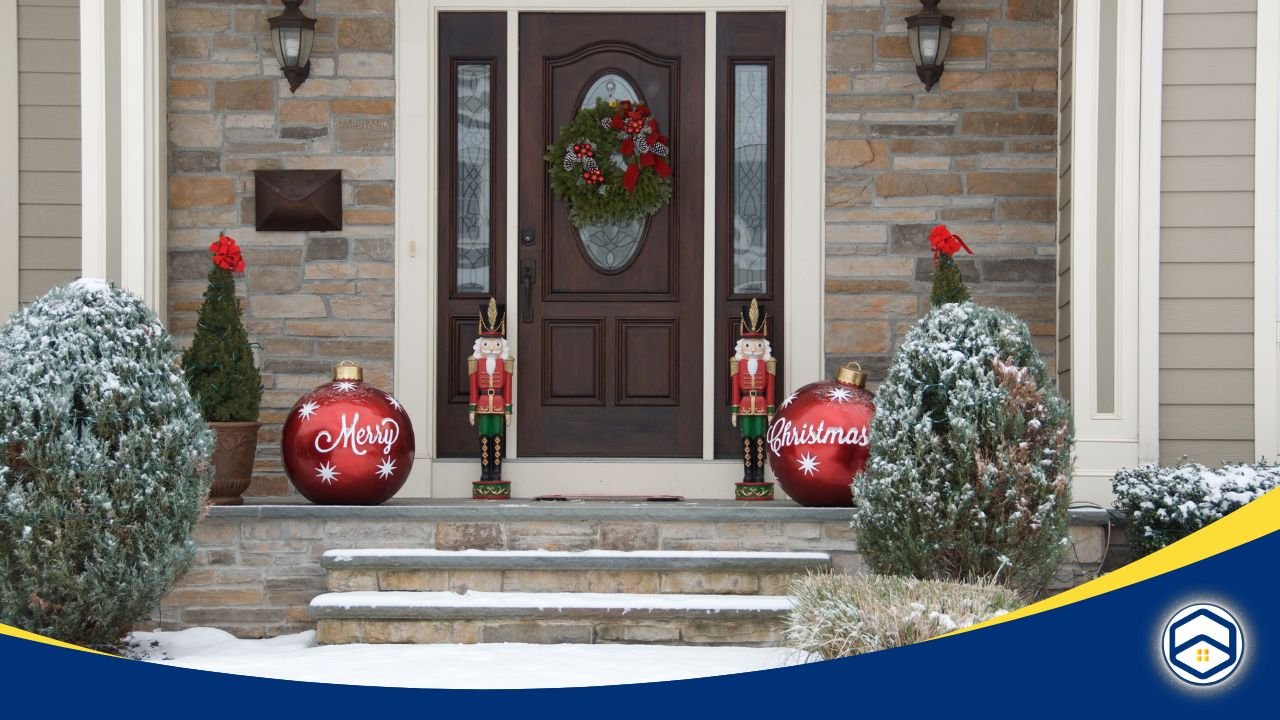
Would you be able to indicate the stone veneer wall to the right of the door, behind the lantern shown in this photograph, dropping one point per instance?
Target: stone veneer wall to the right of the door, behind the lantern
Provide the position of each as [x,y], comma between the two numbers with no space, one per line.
[977,154]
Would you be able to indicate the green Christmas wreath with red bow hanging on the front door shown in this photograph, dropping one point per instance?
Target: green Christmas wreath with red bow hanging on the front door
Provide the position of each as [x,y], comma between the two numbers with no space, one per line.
[587,176]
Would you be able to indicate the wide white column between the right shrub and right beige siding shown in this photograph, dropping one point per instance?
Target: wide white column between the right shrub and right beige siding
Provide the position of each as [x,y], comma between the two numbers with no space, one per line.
[1107,332]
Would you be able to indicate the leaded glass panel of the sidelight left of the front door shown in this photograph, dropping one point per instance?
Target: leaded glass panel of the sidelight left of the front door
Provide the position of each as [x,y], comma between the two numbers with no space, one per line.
[474,179]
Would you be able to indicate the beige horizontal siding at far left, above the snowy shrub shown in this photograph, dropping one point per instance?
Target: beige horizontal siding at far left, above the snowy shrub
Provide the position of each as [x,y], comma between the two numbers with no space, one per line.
[49,181]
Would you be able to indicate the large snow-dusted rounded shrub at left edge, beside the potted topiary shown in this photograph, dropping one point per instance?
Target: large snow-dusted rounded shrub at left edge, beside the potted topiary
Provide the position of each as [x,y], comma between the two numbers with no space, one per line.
[104,464]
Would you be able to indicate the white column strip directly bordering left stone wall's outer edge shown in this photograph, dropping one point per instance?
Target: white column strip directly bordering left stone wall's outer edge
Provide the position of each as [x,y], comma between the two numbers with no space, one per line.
[143,171]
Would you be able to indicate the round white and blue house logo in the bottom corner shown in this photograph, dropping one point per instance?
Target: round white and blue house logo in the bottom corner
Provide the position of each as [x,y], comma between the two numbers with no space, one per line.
[1203,645]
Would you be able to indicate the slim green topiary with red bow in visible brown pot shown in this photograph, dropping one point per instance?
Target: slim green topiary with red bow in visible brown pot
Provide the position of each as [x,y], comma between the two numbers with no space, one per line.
[223,379]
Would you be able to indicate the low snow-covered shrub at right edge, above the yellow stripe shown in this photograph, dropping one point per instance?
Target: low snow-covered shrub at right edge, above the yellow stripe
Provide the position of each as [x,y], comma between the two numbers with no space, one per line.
[1165,505]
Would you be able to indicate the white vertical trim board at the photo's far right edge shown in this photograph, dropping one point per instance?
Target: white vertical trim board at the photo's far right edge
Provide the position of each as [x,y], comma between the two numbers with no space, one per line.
[1267,206]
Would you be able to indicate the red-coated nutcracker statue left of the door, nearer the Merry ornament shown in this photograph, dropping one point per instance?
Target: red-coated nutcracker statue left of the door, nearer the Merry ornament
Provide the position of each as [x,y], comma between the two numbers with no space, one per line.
[491,368]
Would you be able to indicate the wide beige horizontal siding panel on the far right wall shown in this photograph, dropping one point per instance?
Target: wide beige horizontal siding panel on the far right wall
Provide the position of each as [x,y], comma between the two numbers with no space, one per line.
[1206,274]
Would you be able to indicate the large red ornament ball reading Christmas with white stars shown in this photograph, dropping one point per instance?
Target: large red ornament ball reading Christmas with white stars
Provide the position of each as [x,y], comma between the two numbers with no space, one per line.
[820,440]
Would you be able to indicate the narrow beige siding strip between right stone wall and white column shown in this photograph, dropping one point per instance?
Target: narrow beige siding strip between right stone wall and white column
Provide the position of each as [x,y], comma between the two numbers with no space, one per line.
[1064,202]
